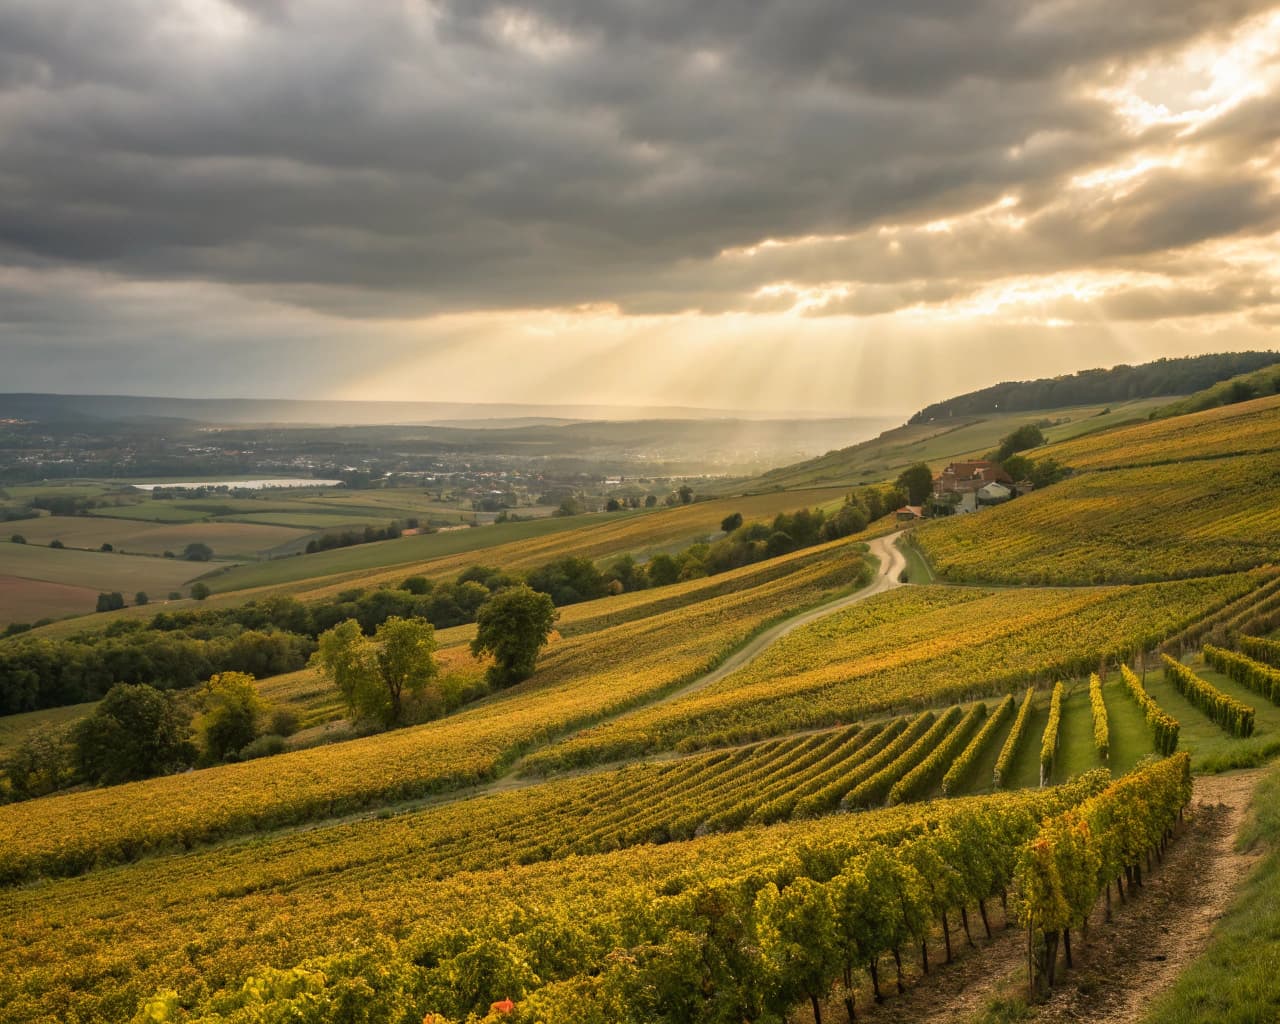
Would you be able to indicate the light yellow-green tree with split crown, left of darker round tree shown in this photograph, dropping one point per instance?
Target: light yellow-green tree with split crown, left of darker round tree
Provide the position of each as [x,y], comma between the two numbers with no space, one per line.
[374,675]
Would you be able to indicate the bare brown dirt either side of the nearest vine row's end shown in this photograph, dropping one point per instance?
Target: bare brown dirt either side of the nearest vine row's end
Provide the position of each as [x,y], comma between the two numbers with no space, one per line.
[1123,966]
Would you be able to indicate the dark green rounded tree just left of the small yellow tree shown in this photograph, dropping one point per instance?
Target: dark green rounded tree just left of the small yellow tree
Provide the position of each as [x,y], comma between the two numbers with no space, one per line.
[135,733]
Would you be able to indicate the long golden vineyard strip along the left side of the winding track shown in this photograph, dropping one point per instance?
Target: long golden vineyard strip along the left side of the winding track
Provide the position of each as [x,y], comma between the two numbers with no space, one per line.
[580,680]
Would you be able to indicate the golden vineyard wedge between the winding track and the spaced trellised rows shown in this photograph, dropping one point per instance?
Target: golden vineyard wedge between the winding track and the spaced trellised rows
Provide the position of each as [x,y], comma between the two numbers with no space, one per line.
[912,648]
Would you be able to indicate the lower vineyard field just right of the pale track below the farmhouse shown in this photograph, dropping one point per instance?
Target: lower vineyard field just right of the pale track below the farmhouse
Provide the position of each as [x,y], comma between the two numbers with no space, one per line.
[1128,525]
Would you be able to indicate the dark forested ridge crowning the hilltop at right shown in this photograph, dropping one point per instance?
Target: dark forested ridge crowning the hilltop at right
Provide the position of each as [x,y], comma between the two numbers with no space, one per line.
[1167,377]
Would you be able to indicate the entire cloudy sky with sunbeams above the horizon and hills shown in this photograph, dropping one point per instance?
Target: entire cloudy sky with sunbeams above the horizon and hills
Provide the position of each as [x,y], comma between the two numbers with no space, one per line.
[803,205]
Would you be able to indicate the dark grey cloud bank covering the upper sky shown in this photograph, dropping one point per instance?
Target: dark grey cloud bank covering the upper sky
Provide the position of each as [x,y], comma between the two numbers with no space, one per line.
[388,159]
